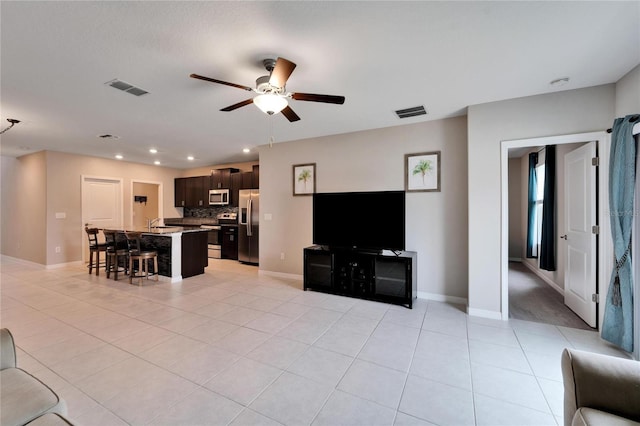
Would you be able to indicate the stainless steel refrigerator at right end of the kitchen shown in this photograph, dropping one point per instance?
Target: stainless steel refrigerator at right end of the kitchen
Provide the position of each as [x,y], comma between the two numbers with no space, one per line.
[249,222]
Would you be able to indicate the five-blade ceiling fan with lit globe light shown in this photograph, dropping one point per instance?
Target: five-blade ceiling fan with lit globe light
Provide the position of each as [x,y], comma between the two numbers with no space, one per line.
[272,94]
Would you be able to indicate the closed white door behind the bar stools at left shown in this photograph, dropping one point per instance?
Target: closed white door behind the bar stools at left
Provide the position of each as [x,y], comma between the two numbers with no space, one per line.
[101,206]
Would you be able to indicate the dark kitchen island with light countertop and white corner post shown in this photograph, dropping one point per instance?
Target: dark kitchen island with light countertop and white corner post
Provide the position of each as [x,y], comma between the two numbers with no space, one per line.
[182,251]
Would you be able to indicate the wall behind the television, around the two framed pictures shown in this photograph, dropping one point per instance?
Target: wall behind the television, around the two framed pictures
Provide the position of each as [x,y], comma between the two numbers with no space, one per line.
[373,161]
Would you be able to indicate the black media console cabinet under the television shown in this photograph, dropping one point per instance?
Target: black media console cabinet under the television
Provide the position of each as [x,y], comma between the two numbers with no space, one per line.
[385,277]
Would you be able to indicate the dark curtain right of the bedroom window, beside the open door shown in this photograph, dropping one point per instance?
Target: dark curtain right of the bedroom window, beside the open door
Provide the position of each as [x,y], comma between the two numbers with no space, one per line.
[548,239]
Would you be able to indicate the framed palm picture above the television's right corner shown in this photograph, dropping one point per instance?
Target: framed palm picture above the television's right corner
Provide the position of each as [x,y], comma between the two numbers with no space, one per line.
[422,172]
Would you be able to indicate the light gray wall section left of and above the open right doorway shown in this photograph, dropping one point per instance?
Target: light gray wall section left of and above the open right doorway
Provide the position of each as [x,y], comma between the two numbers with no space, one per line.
[568,112]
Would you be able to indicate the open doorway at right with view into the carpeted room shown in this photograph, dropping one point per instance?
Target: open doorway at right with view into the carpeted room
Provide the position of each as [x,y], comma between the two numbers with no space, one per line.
[538,293]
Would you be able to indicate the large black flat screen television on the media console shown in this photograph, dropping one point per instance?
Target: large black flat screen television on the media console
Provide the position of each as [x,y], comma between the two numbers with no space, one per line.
[360,220]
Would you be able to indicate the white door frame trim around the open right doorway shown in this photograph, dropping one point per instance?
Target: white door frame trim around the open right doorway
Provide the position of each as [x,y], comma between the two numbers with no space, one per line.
[605,244]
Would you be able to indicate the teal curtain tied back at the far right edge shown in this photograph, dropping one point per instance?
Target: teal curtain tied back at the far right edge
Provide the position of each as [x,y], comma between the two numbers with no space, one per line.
[617,325]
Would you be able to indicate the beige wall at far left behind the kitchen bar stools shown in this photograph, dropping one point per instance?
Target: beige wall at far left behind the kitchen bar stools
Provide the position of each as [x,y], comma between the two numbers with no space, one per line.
[48,182]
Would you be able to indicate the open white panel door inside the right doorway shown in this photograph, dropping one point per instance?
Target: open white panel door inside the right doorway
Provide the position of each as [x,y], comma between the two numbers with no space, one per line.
[580,241]
